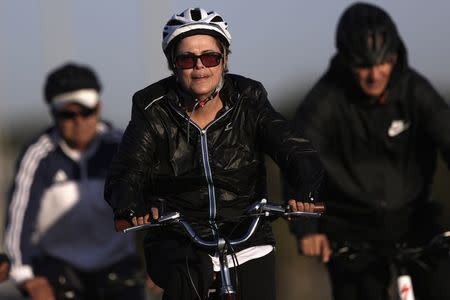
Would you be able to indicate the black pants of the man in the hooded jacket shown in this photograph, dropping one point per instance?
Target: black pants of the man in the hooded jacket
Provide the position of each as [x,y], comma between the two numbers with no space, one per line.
[369,279]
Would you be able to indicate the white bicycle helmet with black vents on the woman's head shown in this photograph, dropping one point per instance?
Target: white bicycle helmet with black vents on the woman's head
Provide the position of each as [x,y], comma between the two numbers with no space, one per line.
[195,21]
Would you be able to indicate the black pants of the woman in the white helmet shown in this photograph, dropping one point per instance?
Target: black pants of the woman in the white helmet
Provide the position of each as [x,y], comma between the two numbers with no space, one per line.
[186,272]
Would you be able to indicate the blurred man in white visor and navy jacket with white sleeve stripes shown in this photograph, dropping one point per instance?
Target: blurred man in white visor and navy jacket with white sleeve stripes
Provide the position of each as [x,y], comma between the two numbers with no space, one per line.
[59,237]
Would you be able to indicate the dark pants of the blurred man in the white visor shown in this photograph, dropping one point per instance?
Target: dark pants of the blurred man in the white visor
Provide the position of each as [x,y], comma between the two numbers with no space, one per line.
[121,281]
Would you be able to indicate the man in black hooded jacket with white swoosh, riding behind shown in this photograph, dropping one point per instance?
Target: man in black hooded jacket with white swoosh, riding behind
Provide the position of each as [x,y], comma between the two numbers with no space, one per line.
[377,125]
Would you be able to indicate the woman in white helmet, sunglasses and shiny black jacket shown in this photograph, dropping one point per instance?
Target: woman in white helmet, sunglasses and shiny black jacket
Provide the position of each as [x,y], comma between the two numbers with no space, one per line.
[195,144]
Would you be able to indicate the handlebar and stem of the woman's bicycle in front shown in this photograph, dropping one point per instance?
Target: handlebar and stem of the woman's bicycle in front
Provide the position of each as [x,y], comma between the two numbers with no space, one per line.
[256,212]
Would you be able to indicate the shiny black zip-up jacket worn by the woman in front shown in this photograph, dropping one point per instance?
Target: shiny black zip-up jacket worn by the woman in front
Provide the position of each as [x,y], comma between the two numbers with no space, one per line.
[212,174]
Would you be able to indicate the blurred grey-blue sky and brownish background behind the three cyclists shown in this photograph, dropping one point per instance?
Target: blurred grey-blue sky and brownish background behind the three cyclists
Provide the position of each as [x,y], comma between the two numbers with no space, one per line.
[285,44]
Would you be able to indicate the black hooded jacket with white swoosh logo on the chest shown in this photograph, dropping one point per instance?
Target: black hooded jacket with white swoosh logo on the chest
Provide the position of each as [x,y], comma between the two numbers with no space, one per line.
[379,158]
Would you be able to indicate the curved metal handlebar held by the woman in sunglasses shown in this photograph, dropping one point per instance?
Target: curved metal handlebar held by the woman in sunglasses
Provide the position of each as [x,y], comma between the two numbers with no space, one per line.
[256,211]
